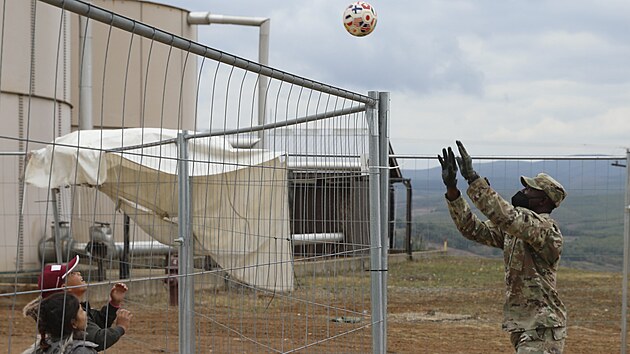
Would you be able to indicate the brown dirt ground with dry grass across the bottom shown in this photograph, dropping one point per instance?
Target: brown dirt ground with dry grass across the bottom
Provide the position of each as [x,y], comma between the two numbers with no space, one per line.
[442,305]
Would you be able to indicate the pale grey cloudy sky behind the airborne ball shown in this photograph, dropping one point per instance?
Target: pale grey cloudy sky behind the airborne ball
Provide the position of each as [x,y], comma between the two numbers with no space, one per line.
[511,77]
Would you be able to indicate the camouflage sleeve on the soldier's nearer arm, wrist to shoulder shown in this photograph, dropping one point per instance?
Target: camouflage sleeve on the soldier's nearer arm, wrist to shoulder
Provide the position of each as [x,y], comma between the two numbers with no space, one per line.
[540,232]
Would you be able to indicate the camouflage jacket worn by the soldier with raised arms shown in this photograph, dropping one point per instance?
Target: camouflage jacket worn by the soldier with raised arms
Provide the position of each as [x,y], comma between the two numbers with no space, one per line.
[531,243]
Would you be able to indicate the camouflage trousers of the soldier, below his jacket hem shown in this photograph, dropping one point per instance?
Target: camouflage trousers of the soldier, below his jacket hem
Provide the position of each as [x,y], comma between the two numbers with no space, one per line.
[539,341]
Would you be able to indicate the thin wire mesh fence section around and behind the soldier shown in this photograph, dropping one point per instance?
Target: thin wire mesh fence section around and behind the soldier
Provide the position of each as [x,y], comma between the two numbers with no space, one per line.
[591,220]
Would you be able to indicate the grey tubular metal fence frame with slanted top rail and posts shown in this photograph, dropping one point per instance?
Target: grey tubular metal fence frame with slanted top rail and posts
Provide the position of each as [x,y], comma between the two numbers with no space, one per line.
[376,106]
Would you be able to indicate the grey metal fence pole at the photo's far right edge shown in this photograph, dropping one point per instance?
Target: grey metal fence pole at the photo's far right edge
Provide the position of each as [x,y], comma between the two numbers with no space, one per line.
[626,263]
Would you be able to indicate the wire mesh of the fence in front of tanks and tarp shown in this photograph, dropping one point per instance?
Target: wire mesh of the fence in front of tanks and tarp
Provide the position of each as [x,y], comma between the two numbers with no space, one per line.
[279,208]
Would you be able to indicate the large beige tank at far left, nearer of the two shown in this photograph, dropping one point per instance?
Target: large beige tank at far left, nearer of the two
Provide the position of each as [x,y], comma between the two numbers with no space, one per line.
[34,104]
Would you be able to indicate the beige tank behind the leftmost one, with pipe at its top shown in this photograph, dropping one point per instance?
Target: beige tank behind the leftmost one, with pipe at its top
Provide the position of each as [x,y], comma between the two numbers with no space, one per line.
[137,82]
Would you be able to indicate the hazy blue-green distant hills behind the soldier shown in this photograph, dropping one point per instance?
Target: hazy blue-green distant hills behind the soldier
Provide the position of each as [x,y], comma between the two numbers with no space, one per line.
[591,218]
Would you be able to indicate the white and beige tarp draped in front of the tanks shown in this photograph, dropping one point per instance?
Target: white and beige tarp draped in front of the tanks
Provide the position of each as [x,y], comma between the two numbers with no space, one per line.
[239,196]
